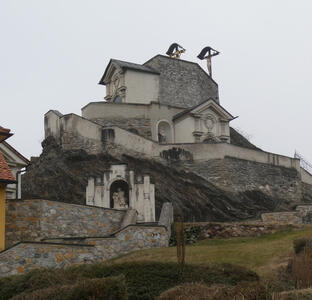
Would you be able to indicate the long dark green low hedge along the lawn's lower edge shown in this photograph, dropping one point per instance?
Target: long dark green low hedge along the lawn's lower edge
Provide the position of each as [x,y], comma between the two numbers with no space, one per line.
[144,280]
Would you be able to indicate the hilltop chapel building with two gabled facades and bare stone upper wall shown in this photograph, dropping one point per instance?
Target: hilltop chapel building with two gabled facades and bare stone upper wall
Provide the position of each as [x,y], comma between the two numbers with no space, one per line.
[168,100]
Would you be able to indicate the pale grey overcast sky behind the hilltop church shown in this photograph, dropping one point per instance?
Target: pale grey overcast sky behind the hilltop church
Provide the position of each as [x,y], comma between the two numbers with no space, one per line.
[53,54]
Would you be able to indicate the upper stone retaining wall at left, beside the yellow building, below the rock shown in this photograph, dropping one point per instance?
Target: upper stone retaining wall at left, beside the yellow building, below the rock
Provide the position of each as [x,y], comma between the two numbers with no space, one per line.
[33,220]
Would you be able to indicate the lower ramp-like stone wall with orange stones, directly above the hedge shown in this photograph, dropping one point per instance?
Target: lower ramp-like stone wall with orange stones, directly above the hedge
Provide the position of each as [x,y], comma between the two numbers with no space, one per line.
[60,253]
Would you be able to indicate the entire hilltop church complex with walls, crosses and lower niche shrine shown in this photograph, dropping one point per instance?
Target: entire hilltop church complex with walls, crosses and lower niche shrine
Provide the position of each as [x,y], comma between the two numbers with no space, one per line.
[167,109]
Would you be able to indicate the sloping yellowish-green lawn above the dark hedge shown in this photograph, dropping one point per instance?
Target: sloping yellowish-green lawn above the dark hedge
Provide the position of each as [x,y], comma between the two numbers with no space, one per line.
[260,254]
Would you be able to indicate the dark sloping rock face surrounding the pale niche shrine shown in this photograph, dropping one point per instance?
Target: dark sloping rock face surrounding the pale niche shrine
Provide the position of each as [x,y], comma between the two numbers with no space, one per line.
[62,176]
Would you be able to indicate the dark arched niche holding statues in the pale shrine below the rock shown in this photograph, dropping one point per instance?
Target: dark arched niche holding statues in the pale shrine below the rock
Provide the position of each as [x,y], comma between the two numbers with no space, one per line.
[119,194]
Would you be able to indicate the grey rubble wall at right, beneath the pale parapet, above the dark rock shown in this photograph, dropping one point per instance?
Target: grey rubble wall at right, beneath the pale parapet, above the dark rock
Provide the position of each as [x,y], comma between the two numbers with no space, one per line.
[240,175]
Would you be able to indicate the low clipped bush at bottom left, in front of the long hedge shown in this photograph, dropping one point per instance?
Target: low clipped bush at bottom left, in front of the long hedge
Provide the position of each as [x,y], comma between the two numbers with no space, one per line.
[113,288]
